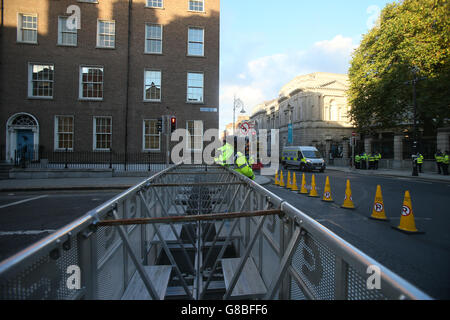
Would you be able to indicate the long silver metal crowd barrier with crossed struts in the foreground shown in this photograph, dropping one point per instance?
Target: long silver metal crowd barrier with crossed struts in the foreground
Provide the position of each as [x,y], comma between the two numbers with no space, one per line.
[196,232]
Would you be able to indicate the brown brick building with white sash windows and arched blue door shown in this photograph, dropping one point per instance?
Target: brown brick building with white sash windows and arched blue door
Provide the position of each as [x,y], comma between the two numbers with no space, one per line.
[97,75]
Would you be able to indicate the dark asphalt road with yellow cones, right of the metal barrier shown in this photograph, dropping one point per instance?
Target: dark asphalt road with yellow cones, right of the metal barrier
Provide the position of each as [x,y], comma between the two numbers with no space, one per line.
[422,259]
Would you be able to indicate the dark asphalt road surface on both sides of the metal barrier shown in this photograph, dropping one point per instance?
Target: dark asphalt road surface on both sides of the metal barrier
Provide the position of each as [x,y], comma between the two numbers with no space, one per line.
[422,259]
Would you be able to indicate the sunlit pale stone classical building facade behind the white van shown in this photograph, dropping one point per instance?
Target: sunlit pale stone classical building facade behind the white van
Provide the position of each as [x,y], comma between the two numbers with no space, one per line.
[316,107]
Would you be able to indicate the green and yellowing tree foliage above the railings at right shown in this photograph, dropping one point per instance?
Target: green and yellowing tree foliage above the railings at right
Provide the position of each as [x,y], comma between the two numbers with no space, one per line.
[410,33]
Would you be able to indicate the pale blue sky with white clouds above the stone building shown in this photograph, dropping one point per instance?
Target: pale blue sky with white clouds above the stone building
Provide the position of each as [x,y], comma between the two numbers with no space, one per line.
[264,44]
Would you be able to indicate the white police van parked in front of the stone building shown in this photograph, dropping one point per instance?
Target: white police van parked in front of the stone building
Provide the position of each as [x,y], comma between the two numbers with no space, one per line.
[303,157]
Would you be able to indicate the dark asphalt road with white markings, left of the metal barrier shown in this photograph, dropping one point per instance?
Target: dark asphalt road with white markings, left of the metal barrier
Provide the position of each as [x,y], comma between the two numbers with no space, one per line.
[27,217]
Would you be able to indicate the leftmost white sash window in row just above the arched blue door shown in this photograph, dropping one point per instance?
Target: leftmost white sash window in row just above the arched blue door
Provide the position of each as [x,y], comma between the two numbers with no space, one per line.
[40,80]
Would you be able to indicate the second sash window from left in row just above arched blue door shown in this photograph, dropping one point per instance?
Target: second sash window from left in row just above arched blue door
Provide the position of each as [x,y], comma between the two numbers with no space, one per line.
[91,83]
